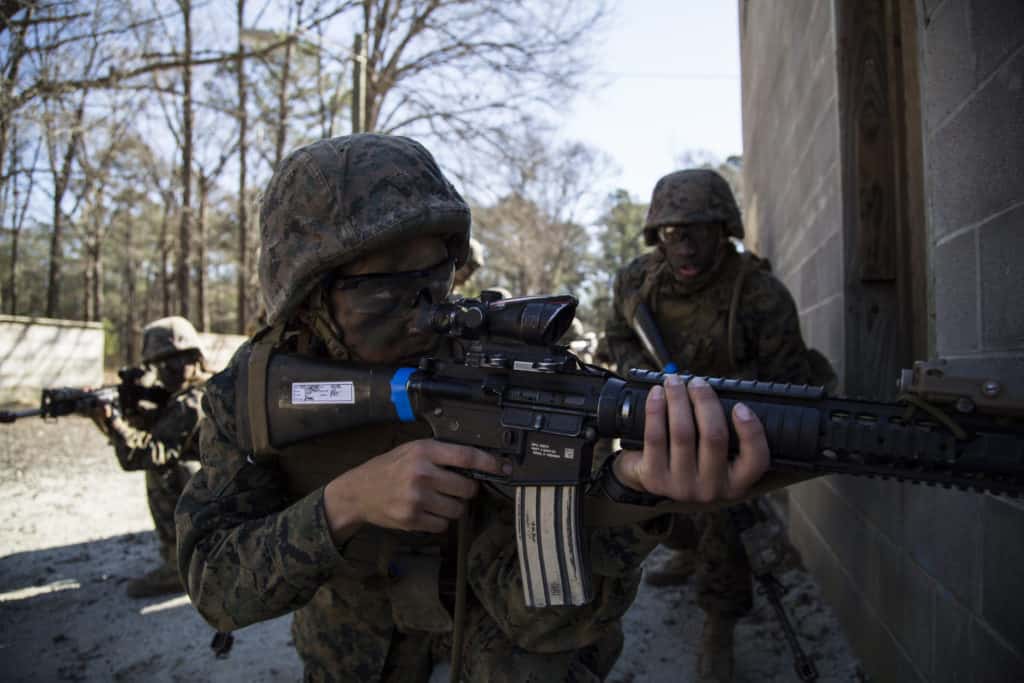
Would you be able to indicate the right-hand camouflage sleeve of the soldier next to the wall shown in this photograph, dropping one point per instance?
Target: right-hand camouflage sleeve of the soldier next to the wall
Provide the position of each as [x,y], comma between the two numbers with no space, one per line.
[773,326]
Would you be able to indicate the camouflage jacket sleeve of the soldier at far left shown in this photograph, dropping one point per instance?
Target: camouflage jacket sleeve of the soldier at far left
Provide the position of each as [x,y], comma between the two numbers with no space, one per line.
[173,437]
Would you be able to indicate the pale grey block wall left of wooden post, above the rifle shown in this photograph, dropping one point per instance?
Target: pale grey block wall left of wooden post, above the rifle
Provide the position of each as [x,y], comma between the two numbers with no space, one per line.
[793,181]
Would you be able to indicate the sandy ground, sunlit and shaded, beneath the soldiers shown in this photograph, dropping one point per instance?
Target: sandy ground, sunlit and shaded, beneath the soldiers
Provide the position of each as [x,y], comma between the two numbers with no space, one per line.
[74,529]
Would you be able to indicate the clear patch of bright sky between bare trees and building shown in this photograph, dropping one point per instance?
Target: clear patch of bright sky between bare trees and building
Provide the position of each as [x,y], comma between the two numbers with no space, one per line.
[667,82]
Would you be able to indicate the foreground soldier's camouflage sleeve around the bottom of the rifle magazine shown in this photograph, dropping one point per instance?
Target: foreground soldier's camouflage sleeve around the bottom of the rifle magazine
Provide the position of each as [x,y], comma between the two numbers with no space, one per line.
[616,557]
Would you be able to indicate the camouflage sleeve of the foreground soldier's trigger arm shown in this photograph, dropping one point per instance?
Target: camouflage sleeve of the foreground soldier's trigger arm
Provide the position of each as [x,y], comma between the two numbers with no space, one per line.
[247,550]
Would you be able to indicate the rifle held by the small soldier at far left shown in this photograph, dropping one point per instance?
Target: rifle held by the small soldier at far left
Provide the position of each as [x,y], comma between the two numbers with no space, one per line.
[127,398]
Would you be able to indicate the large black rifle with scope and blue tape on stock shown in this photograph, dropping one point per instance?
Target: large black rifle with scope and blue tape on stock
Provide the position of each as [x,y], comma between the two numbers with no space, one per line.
[510,391]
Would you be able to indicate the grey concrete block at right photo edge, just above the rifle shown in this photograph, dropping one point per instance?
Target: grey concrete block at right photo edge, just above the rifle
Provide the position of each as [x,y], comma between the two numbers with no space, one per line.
[1002,276]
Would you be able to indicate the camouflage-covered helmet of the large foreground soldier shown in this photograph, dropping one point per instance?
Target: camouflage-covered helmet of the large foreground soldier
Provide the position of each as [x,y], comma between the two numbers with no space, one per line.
[337,200]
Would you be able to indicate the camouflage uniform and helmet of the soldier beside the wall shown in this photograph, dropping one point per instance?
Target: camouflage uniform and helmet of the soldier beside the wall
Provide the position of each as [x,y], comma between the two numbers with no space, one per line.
[694,318]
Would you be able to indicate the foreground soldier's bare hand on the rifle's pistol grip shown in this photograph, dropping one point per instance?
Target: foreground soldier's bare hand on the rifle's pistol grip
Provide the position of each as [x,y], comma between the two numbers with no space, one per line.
[409,488]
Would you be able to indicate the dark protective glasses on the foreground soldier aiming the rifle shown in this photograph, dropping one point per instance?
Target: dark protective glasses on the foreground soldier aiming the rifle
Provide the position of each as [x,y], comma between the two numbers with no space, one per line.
[378,294]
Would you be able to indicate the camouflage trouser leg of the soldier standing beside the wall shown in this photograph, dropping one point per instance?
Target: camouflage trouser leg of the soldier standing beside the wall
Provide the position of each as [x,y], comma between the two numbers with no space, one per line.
[723,577]
